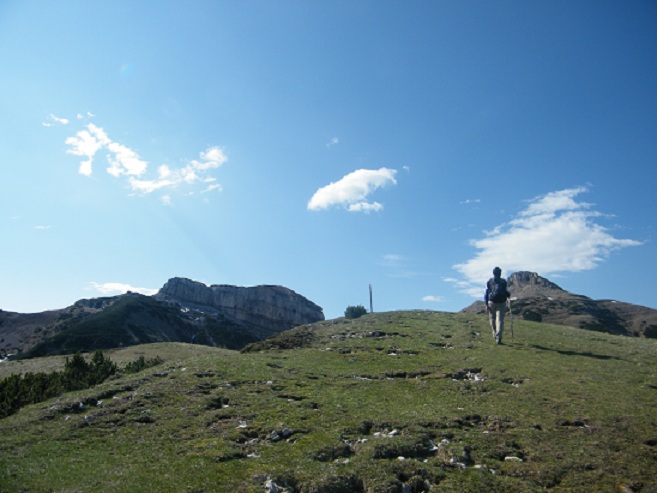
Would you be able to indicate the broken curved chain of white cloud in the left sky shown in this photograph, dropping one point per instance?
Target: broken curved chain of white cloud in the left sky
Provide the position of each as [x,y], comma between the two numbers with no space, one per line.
[127,163]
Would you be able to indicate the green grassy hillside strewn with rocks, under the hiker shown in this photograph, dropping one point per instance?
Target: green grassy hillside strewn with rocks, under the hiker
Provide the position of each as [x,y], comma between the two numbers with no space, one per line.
[392,402]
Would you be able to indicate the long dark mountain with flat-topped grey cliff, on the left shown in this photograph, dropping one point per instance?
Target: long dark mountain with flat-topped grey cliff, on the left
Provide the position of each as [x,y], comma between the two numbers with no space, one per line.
[182,311]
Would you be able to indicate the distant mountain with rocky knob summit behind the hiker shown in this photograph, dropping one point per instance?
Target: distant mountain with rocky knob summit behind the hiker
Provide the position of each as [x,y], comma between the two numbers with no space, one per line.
[540,300]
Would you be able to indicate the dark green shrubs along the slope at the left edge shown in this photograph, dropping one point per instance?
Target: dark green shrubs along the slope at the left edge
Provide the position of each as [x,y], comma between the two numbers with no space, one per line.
[18,390]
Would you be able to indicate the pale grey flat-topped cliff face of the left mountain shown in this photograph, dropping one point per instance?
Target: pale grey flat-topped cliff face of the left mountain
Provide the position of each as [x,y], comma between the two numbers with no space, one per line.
[265,310]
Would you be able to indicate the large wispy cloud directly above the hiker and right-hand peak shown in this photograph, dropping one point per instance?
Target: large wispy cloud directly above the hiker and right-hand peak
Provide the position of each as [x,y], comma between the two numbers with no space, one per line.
[554,234]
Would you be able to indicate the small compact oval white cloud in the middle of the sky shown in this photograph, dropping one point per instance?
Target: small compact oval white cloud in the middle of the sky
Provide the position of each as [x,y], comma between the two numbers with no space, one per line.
[352,191]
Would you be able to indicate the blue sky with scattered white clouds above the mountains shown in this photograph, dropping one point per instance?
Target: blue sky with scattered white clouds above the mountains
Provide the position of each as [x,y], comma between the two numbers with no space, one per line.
[327,146]
